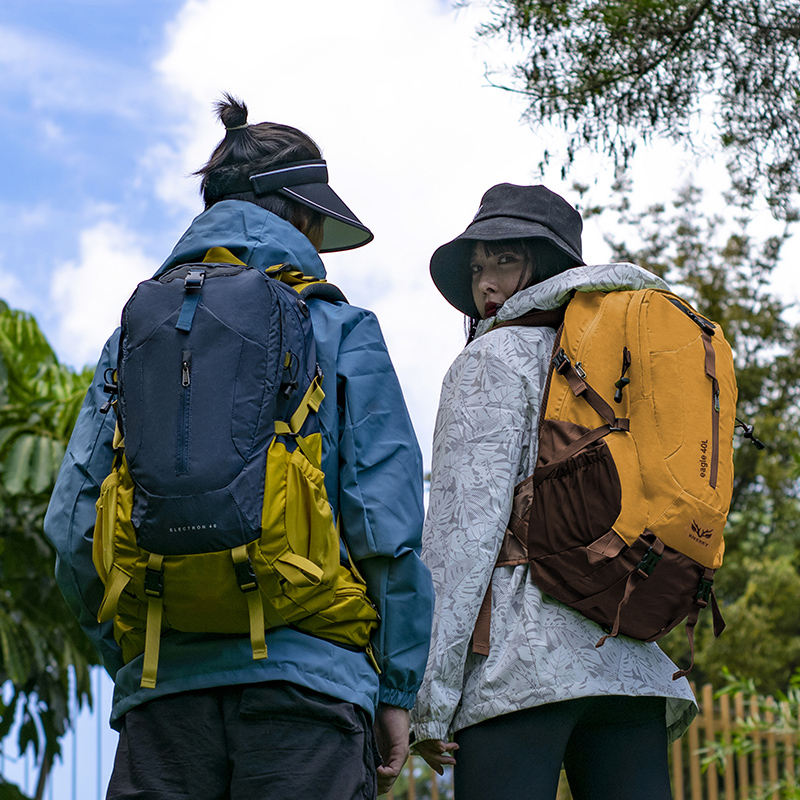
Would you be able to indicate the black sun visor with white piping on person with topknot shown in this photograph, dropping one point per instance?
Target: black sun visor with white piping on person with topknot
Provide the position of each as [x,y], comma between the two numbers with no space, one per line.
[306,182]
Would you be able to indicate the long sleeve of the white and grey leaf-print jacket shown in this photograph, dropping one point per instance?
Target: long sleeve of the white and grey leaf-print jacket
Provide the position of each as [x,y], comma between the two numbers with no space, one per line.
[488,414]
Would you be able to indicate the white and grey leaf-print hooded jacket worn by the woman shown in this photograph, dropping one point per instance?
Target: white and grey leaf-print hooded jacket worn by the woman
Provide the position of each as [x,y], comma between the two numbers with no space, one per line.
[484,444]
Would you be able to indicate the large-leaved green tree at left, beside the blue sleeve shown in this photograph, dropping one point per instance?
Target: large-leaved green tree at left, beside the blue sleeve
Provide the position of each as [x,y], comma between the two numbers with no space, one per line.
[43,651]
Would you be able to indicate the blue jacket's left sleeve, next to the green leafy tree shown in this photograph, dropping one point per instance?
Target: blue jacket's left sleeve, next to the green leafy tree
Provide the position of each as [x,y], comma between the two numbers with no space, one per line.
[69,523]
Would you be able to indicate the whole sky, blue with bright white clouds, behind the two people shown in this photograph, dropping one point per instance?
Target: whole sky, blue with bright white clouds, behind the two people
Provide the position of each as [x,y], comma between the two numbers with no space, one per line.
[106,110]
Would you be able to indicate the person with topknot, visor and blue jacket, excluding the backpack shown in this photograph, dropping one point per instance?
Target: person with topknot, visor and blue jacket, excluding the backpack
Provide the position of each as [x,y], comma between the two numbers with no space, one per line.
[314,719]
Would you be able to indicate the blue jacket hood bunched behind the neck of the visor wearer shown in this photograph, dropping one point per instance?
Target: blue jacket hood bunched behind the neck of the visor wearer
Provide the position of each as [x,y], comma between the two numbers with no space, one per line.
[256,236]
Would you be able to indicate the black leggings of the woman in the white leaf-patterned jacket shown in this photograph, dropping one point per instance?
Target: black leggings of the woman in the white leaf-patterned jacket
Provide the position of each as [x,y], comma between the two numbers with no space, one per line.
[612,748]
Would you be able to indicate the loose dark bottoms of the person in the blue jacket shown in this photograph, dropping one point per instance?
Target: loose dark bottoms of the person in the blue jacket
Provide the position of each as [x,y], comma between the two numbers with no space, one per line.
[274,740]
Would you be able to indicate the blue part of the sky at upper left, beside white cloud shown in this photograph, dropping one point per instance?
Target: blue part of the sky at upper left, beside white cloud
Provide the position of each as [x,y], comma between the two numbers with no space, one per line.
[79,107]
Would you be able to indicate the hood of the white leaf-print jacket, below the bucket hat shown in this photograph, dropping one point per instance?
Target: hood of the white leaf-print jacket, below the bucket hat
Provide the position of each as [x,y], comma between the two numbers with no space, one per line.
[556,291]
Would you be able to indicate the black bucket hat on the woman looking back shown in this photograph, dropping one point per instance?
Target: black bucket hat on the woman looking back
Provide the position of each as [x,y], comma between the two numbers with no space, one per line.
[506,212]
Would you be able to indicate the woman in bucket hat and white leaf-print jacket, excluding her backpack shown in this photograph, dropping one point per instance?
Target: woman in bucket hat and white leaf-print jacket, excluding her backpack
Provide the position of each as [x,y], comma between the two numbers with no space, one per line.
[545,694]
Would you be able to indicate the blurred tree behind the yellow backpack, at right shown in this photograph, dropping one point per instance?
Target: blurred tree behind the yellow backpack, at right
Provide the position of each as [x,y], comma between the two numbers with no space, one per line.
[717,263]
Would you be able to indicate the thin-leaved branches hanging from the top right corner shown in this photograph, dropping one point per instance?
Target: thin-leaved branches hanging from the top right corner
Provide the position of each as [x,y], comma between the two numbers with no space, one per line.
[613,73]
